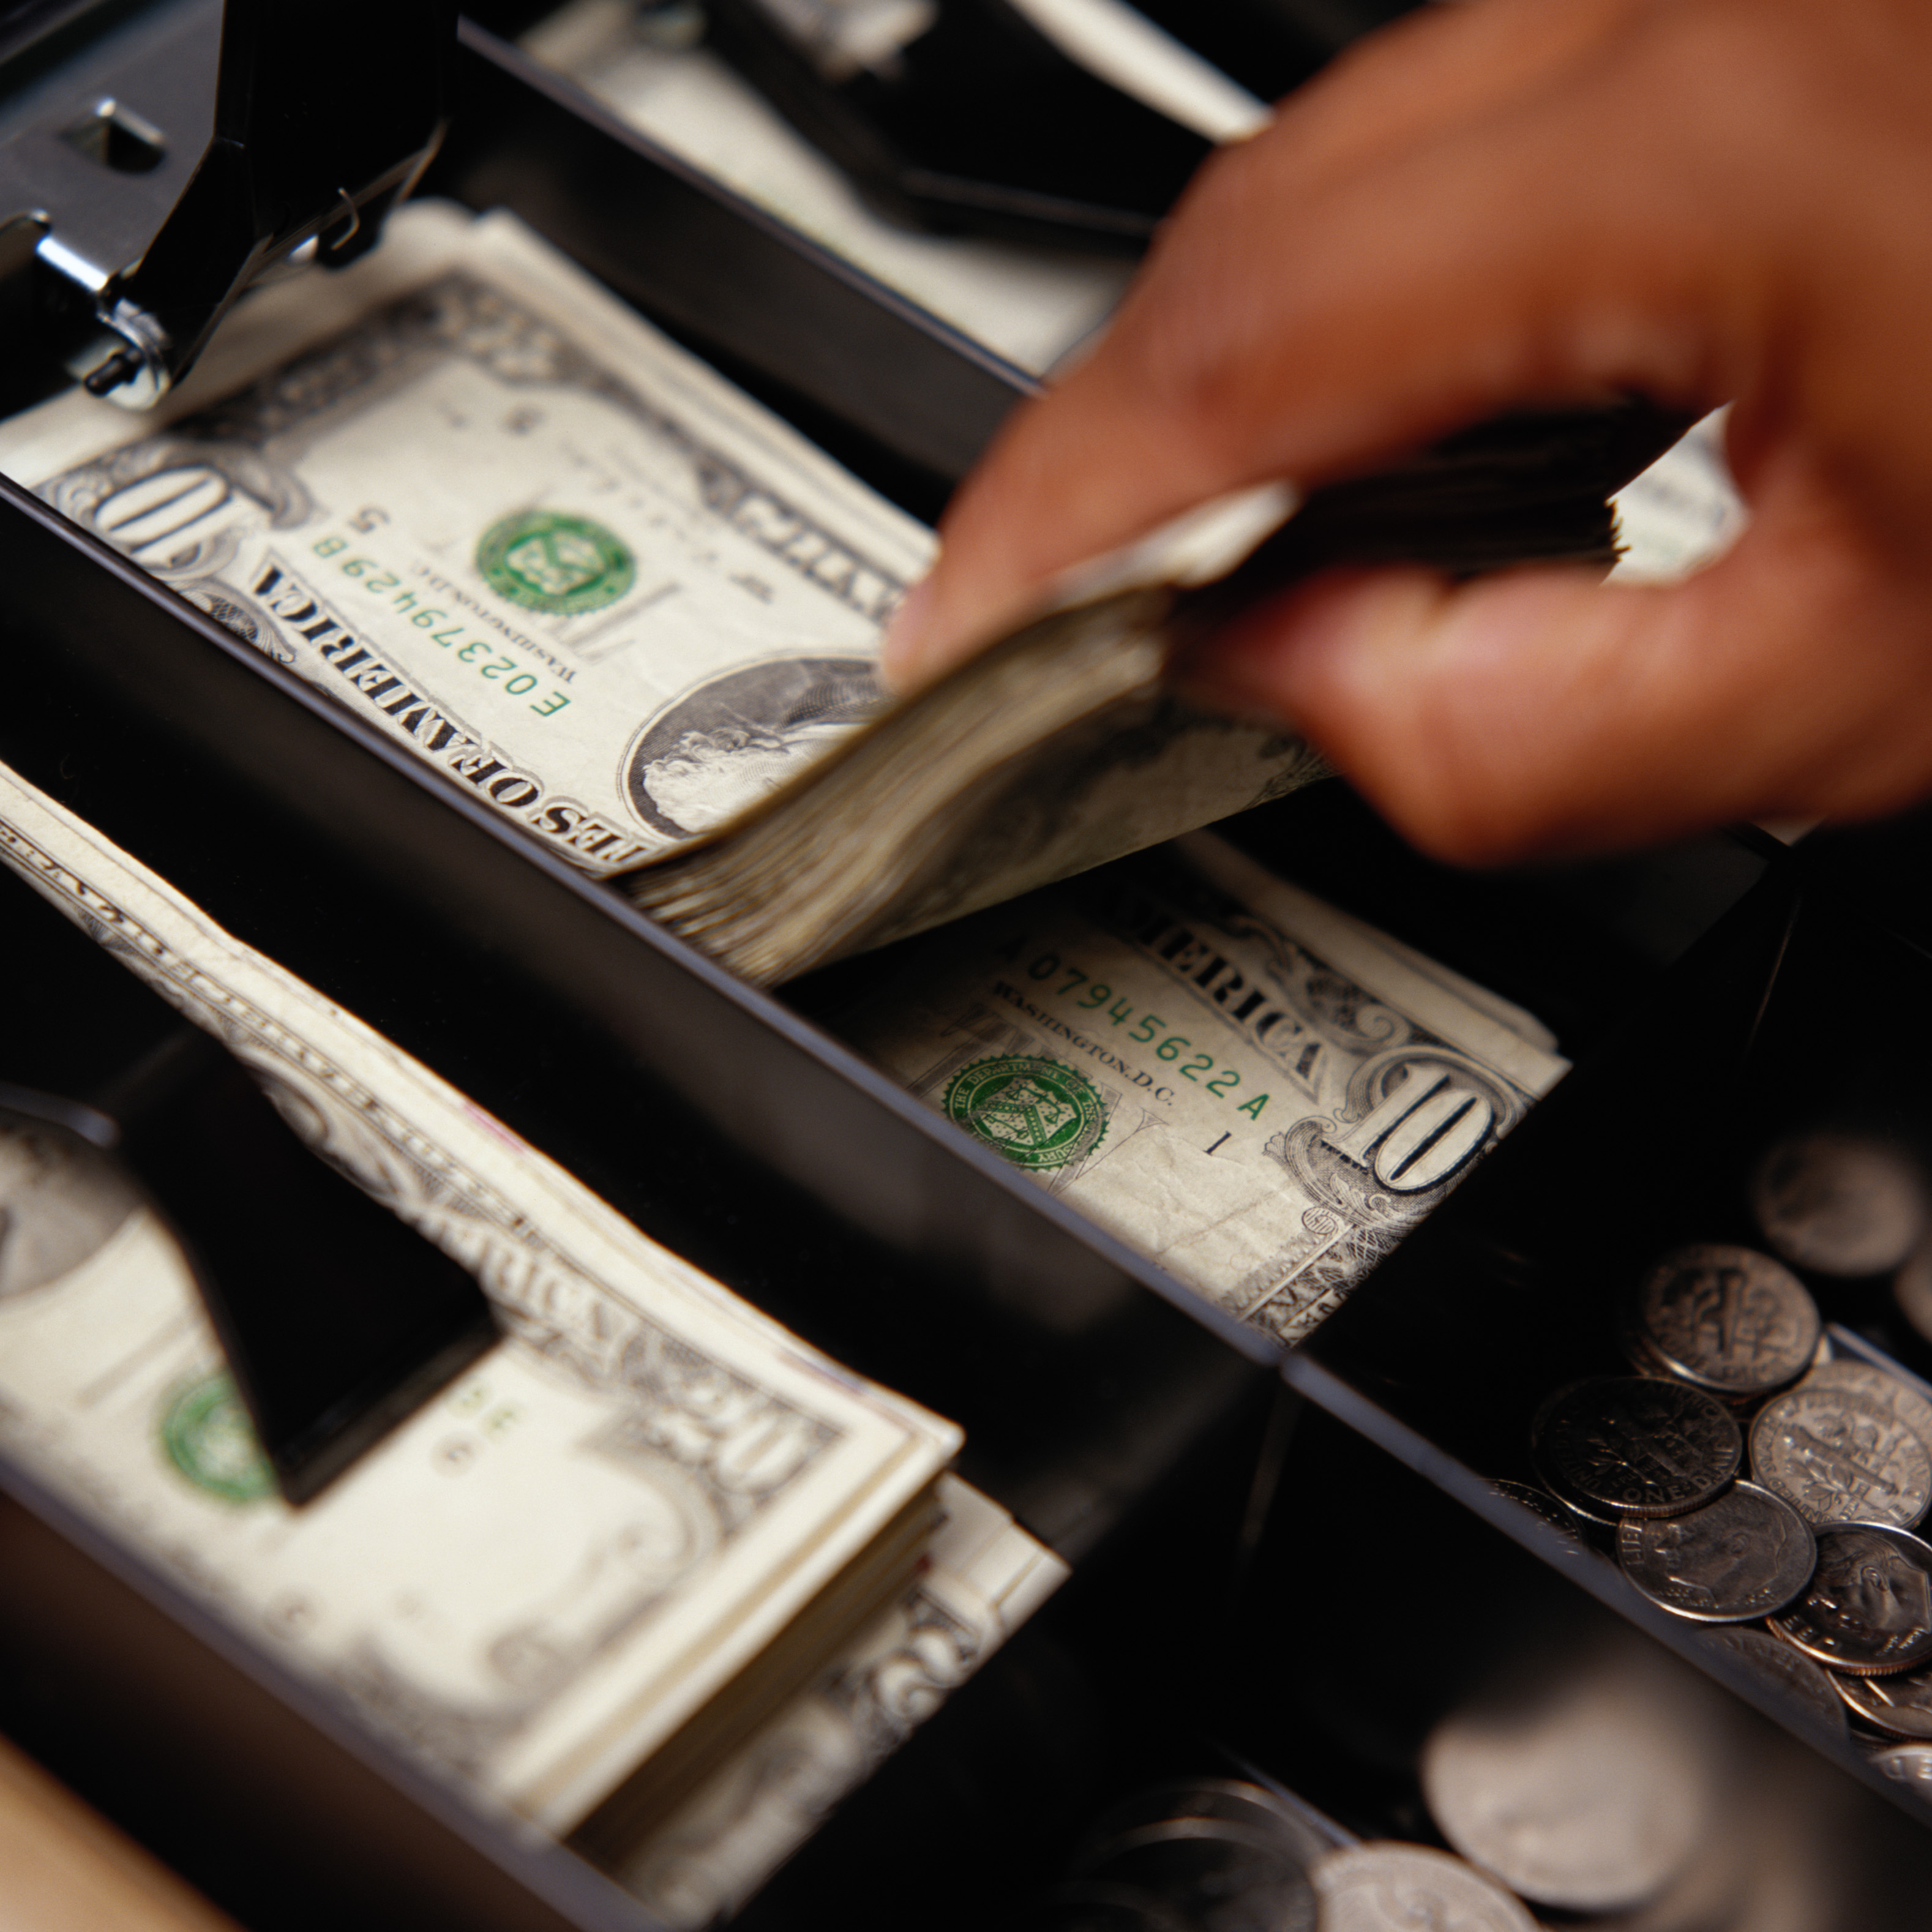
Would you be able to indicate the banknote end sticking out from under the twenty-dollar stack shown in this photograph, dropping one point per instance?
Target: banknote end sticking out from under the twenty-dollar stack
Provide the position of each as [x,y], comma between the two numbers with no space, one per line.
[982,1579]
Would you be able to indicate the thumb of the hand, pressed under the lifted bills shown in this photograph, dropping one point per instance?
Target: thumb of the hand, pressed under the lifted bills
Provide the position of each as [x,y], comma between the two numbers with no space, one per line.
[1543,712]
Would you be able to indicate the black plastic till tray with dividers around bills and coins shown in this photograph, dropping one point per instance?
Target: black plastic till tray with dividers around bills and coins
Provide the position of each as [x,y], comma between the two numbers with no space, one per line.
[1286,1568]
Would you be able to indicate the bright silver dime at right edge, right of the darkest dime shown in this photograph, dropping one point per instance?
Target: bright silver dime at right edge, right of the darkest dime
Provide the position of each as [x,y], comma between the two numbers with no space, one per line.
[1840,1458]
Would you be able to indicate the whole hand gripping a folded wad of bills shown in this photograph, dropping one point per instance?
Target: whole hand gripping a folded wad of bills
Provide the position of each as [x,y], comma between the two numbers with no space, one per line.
[1510,202]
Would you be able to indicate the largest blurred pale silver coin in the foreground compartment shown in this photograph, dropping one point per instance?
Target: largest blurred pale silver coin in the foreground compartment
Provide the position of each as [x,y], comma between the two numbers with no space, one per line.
[1585,1790]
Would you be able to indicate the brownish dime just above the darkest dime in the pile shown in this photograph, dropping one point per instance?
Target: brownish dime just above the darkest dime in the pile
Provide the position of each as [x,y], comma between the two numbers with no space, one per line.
[1726,1319]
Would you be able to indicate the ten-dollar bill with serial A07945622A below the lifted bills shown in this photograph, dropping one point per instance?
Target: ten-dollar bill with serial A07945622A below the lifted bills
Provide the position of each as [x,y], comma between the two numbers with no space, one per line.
[1257,1091]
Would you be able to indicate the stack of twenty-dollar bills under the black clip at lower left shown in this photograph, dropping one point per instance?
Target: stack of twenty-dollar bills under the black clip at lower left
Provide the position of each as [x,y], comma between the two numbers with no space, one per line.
[559,1562]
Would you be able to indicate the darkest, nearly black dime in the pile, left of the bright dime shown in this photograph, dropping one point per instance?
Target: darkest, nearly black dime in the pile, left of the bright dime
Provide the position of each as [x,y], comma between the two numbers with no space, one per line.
[1635,1446]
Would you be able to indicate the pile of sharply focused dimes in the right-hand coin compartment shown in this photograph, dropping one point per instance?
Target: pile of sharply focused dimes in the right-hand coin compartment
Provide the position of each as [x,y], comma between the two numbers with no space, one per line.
[1747,1475]
